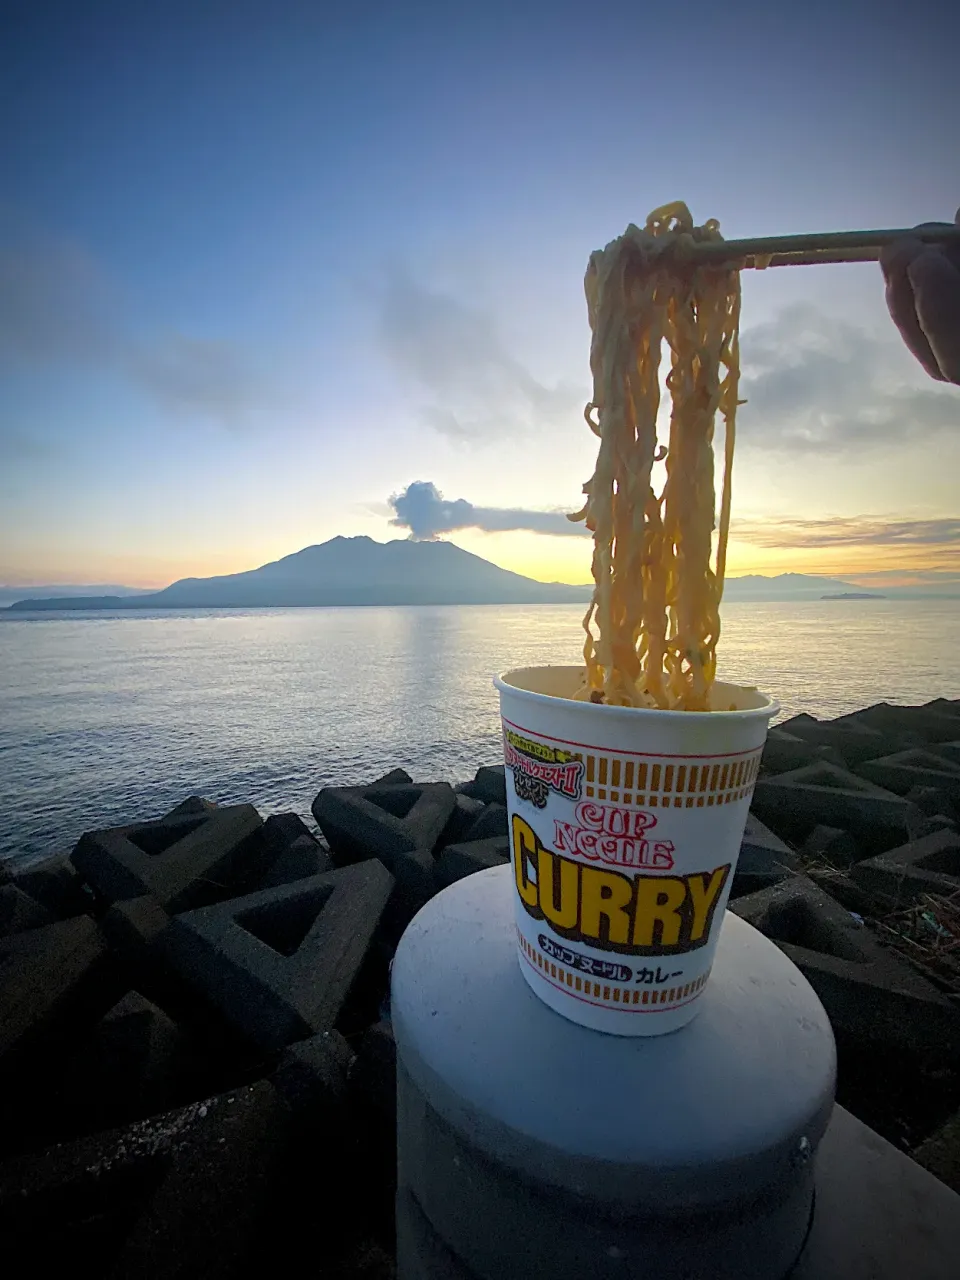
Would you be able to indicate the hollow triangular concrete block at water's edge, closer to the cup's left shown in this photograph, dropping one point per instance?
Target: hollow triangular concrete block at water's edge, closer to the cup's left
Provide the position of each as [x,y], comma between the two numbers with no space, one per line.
[383,822]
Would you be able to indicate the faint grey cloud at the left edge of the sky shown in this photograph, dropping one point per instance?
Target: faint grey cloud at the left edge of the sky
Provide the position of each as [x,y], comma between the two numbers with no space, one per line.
[57,308]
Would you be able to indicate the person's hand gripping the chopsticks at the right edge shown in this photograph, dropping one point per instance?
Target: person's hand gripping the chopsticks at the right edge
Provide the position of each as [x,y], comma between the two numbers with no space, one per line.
[924,299]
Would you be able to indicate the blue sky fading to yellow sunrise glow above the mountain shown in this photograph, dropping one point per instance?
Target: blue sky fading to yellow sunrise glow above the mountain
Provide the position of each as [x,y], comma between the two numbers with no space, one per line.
[264,267]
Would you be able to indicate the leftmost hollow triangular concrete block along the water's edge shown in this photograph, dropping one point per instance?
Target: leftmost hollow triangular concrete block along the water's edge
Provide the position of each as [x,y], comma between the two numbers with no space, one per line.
[185,863]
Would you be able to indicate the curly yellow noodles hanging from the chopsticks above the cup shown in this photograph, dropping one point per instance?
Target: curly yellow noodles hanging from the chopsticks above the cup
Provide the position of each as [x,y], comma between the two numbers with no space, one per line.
[653,623]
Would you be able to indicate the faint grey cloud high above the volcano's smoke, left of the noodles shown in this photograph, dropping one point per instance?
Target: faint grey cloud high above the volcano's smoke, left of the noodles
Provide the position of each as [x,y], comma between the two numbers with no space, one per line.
[455,354]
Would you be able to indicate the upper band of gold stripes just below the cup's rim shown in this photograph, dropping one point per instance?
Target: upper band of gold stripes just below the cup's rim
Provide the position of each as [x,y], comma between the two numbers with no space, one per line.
[670,784]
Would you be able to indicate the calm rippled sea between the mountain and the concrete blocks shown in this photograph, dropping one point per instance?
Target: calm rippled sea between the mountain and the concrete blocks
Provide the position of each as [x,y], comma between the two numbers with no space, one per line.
[112,717]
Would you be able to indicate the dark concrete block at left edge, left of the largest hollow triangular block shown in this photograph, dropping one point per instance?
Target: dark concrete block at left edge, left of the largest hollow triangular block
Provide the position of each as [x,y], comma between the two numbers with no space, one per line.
[52,980]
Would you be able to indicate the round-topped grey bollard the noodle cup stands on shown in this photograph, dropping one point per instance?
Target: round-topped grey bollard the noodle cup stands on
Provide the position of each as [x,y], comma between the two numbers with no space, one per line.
[531,1146]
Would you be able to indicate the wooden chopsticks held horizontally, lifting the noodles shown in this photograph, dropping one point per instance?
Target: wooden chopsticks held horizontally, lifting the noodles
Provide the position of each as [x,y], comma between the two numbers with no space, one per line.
[804,250]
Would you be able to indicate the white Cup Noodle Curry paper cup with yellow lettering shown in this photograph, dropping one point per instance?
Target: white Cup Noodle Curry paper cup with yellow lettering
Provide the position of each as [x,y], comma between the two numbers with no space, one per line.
[625,833]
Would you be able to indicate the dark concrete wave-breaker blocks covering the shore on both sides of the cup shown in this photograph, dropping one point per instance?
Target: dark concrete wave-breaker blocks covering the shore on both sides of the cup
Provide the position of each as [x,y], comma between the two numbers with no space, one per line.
[196,1058]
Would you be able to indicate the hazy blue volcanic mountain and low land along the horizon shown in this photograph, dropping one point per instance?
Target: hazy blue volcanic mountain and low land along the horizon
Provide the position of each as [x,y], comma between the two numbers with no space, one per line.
[350,572]
